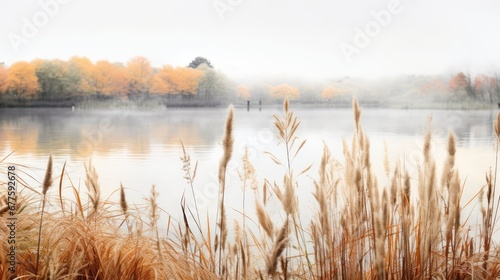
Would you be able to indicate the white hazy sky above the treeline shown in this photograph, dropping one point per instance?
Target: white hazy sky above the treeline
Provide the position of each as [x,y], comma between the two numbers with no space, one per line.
[257,38]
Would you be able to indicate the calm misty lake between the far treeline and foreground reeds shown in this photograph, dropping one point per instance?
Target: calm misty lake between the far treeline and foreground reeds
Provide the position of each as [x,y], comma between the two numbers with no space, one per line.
[140,148]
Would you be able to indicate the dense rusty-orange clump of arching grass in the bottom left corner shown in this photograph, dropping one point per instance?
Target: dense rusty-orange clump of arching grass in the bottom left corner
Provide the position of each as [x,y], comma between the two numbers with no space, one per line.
[72,249]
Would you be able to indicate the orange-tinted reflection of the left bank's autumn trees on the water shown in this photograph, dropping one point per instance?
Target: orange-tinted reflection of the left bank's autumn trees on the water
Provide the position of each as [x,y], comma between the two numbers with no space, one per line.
[80,134]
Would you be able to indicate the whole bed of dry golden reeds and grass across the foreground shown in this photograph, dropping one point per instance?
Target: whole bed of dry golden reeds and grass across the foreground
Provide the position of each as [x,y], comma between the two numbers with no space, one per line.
[403,226]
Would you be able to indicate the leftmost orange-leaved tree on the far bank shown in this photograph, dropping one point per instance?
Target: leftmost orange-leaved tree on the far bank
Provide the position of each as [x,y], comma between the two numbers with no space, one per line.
[22,81]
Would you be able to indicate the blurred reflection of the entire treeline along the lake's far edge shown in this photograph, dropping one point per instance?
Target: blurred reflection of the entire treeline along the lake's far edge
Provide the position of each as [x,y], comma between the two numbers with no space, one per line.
[80,134]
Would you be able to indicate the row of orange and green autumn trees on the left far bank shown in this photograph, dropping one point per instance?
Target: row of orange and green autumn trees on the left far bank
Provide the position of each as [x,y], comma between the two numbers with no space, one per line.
[79,77]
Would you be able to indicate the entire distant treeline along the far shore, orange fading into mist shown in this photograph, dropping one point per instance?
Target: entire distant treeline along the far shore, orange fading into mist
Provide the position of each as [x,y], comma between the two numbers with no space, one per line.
[81,81]
